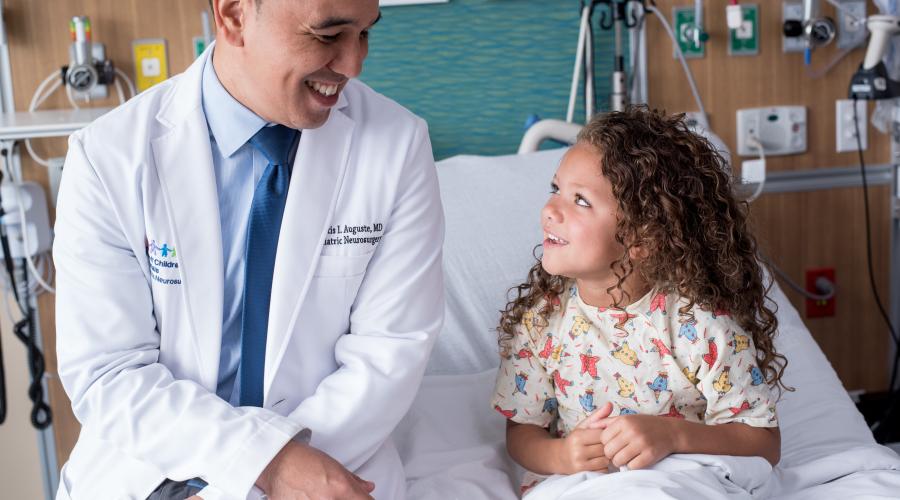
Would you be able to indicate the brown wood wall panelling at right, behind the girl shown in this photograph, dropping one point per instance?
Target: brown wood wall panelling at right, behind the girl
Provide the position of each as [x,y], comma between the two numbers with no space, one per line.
[798,230]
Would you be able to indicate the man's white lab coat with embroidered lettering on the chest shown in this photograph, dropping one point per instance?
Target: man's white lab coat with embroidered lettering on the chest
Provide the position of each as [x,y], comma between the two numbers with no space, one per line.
[351,325]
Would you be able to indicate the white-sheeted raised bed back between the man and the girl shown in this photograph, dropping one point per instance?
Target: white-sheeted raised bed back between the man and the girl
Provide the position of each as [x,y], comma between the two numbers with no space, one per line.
[492,207]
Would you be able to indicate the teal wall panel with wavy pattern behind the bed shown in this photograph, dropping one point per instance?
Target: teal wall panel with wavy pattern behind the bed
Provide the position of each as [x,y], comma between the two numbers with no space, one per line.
[477,69]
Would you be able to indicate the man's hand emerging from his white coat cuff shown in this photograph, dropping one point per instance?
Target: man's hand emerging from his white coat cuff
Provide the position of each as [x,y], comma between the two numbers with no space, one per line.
[299,471]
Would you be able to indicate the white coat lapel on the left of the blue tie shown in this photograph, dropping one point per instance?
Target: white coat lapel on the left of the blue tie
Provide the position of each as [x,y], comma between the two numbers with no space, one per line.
[185,166]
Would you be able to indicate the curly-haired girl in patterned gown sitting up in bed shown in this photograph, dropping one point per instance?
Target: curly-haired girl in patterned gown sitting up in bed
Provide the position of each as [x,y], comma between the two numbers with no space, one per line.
[644,330]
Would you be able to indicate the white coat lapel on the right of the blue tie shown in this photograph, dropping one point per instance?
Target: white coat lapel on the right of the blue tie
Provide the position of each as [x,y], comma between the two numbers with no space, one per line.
[318,173]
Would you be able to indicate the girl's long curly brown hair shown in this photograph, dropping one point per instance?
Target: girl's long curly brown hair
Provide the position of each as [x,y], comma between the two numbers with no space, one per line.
[675,202]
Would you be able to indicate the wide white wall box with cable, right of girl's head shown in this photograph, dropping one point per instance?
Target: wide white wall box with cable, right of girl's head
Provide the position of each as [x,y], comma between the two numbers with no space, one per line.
[780,130]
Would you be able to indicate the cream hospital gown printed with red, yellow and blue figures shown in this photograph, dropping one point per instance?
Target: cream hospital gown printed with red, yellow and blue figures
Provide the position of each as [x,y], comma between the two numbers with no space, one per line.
[648,359]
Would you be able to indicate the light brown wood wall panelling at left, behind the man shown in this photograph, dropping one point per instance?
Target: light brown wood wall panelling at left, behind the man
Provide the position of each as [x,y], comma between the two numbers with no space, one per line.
[39,41]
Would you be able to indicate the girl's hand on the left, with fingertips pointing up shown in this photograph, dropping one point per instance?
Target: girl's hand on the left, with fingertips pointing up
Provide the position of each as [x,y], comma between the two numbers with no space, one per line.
[582,450]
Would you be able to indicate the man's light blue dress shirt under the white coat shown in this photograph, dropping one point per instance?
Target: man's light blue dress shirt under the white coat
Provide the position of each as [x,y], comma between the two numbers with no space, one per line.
[238,167]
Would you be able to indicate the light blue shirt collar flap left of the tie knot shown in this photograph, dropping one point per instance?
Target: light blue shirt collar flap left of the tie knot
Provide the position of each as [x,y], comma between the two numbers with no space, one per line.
[230,123]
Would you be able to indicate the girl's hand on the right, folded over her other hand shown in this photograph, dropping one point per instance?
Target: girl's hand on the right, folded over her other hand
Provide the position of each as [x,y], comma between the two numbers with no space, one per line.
[637,441]
